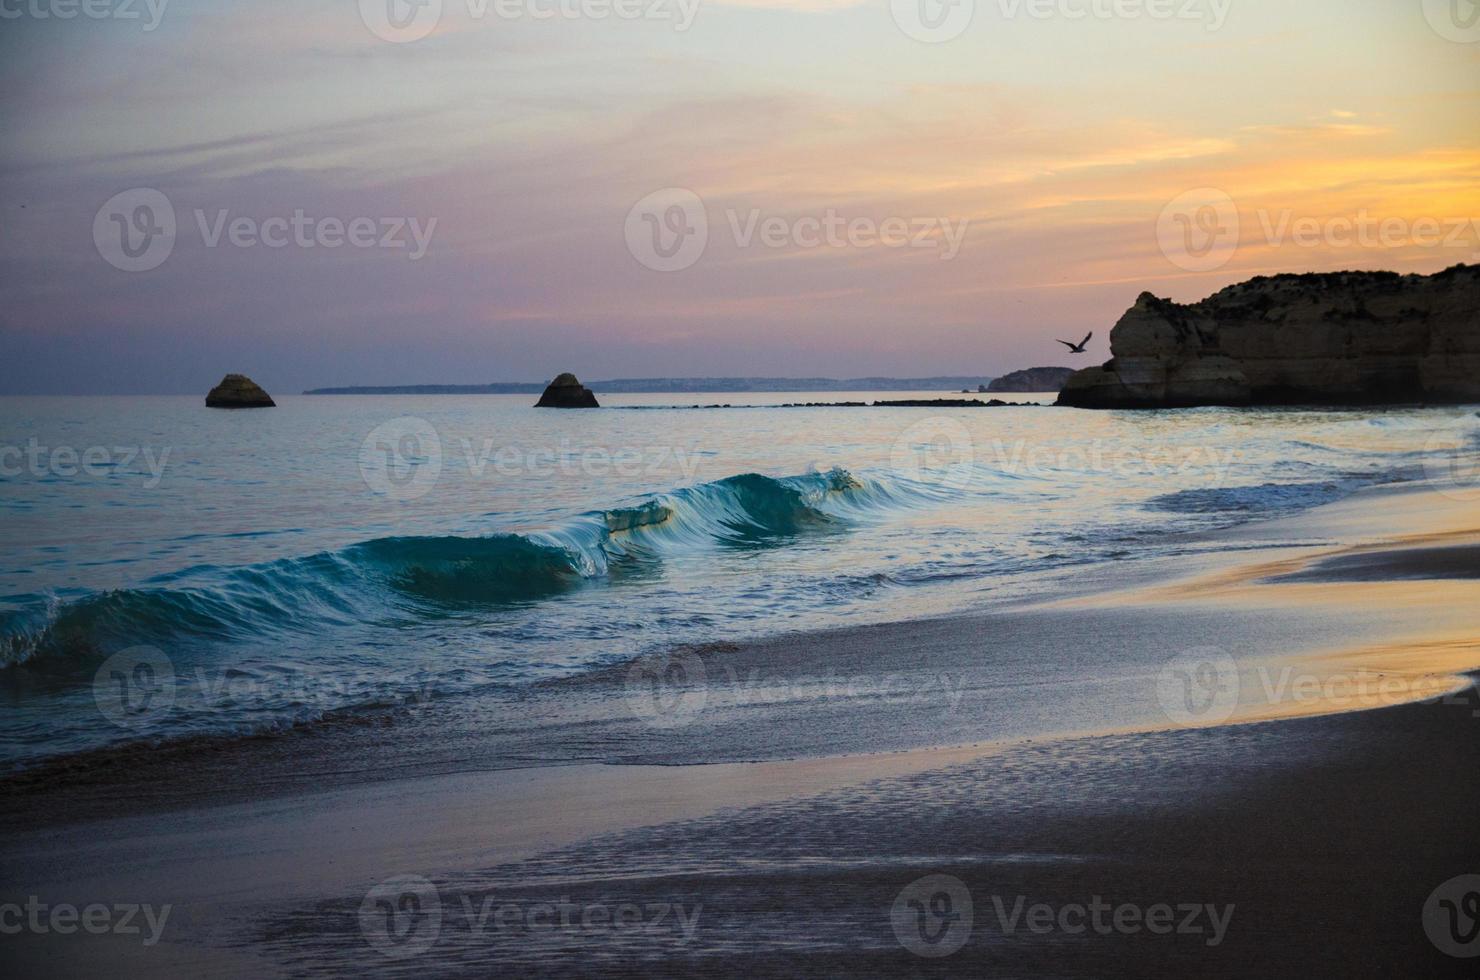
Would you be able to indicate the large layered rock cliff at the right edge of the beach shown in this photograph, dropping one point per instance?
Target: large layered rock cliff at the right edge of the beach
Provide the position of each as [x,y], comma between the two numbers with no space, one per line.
[1330,340]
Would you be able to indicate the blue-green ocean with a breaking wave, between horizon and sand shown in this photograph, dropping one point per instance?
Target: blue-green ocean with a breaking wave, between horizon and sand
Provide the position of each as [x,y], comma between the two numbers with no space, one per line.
[267,569]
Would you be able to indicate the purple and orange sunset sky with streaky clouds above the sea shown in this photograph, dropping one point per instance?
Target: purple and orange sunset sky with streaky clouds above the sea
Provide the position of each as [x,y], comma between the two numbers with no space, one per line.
[313,193]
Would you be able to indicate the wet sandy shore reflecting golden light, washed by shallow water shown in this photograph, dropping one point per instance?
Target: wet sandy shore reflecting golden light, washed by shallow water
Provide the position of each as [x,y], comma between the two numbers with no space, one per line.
[784,815]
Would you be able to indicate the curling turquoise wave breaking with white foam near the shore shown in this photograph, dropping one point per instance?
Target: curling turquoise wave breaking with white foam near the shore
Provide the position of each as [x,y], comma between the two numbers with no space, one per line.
[425,577]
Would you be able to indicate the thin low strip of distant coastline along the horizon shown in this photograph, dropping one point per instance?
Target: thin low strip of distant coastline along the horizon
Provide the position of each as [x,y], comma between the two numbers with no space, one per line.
[667,386]
